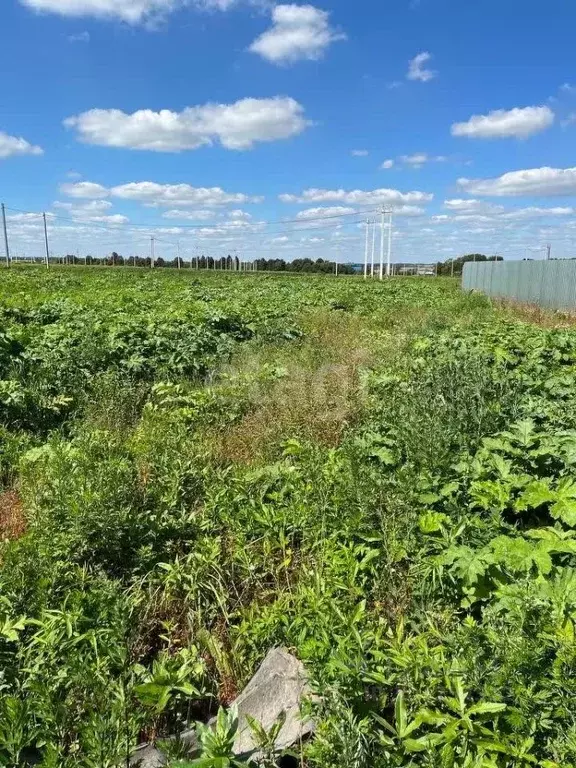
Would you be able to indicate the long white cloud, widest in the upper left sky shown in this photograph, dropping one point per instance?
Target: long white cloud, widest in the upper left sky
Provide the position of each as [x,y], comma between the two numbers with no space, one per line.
[236,126]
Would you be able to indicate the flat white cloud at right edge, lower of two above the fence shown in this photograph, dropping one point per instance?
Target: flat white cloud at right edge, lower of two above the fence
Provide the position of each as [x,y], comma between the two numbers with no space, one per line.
[545,182]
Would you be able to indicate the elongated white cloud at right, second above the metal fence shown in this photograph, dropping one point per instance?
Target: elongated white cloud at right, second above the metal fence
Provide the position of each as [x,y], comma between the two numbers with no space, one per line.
[520,122]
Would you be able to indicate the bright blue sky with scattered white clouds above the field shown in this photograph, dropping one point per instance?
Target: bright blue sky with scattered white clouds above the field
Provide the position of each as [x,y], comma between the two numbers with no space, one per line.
[277,128]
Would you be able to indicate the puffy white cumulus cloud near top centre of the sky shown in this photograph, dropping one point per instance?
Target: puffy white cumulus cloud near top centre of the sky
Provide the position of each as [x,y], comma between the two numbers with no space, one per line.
[298,32]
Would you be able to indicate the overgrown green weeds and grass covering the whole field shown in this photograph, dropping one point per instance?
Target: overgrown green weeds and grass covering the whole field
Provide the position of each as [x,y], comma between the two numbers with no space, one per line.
[379,476]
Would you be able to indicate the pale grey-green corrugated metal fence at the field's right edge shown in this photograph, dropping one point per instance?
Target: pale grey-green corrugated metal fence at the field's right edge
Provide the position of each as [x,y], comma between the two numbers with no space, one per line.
[546,283]
